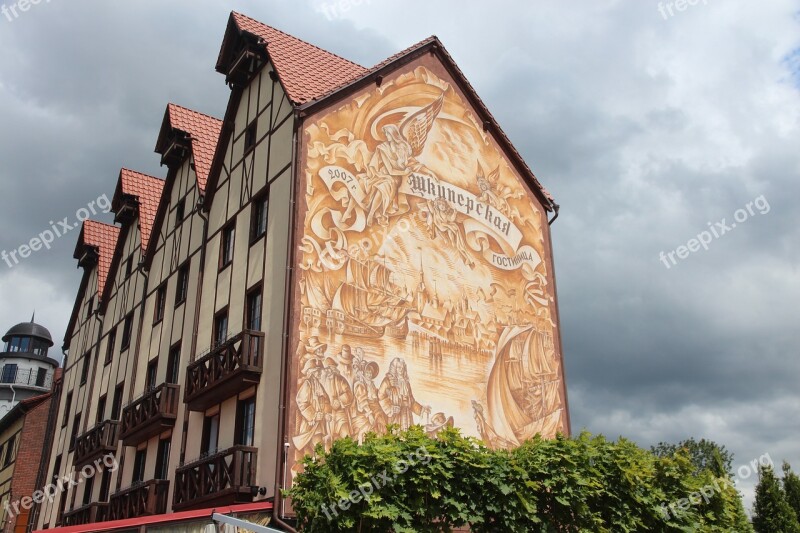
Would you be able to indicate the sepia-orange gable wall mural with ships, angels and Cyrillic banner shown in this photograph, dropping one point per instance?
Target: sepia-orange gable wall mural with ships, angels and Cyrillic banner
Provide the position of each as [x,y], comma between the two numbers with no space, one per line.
[424,293]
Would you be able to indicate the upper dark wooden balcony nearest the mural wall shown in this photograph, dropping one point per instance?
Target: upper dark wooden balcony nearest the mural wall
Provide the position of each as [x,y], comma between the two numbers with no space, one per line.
[228,369]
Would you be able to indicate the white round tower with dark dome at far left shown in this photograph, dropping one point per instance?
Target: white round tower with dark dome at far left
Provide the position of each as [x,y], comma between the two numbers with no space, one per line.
[26,370]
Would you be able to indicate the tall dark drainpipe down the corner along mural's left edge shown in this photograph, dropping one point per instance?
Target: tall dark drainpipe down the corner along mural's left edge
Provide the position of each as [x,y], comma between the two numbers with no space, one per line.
[283,443]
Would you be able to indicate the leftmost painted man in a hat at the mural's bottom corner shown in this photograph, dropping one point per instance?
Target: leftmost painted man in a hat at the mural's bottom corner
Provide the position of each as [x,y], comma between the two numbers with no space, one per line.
[314,410]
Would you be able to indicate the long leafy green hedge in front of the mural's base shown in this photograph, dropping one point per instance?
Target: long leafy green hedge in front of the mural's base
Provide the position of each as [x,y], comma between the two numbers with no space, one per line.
[582,484]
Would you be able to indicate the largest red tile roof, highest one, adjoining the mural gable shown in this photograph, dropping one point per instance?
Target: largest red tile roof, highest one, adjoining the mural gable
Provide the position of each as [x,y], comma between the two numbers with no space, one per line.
[307,71]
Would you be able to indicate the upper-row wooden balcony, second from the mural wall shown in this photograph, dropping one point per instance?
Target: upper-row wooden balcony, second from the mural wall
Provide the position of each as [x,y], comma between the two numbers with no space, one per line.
[151,414]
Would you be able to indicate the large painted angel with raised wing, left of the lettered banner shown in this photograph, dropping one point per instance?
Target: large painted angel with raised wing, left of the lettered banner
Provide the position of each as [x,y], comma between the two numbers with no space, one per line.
[394,159]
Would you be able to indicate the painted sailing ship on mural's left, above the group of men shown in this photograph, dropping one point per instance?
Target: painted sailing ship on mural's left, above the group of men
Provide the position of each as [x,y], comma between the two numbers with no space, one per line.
[368,303]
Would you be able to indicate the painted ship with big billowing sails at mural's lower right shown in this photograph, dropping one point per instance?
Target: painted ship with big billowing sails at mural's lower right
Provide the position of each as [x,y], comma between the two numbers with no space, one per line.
[524,391]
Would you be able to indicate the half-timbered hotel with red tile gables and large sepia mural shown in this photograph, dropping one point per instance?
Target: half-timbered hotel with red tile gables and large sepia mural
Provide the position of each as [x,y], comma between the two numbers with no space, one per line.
[280,256]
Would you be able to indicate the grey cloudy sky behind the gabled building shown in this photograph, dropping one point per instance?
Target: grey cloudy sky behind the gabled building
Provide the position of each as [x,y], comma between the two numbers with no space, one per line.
[648,127]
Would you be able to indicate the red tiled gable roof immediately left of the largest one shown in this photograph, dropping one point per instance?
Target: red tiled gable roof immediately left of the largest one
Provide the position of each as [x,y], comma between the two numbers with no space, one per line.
[204,131]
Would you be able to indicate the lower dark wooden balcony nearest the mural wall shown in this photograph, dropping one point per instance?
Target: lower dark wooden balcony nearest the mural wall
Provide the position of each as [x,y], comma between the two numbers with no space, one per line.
[224,478]
